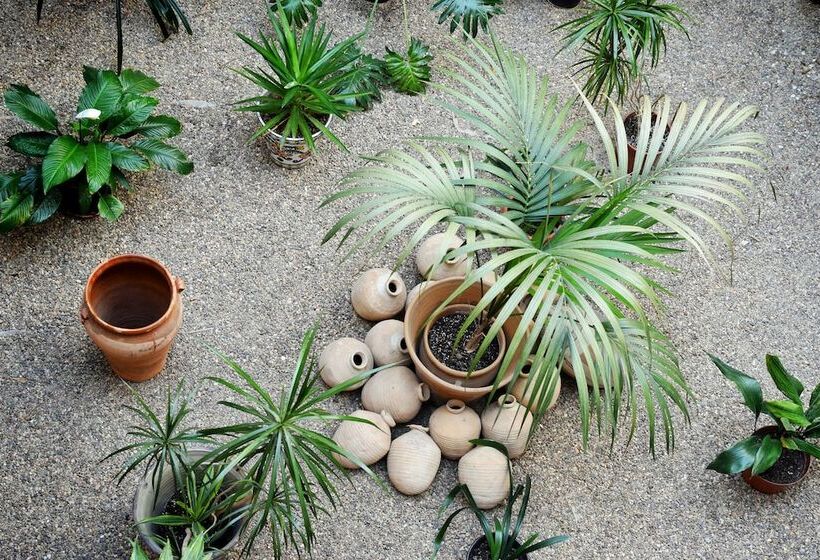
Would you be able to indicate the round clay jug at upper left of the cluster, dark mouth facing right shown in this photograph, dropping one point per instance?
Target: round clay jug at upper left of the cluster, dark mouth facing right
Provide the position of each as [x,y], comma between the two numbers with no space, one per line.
[378,294]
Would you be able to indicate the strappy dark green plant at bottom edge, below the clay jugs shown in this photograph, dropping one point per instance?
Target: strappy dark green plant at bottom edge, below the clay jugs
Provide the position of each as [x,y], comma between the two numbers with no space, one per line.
[502,534]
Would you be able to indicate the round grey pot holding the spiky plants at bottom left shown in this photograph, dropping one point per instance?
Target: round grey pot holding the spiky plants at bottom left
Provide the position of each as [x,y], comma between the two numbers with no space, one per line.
[150,501]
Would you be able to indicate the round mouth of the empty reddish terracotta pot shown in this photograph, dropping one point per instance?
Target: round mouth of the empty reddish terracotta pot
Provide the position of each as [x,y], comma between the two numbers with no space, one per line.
[130,293]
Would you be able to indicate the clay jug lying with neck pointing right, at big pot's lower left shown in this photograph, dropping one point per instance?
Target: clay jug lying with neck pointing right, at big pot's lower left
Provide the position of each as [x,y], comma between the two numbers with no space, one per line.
[396,390]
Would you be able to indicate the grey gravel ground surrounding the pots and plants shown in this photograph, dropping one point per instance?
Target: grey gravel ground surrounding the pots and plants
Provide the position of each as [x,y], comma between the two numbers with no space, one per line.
[245,236]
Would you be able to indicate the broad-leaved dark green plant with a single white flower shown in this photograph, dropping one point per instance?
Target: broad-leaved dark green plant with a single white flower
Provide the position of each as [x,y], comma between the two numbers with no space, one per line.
[113,133]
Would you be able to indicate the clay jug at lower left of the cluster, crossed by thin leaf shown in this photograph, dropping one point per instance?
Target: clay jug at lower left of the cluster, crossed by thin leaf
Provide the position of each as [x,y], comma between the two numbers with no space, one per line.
[368,442]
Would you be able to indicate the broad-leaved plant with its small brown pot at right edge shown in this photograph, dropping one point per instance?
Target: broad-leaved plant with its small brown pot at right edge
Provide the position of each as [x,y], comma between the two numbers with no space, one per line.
[774,458]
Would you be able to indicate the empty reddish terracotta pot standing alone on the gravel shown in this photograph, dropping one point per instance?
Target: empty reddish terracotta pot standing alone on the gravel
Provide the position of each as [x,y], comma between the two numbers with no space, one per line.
[132,312]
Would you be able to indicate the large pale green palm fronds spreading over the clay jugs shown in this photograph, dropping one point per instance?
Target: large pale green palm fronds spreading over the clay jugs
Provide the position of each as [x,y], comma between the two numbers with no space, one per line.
[576,243]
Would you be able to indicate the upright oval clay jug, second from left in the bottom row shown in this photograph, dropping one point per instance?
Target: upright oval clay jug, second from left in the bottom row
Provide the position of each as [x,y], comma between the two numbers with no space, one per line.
[413,461]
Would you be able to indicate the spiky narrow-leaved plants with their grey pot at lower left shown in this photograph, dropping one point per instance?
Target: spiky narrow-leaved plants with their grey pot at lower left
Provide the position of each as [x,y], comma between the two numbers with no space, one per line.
[273,468]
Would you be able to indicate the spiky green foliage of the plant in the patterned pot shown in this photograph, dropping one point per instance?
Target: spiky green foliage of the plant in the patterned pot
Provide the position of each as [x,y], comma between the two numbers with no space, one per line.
[304,82]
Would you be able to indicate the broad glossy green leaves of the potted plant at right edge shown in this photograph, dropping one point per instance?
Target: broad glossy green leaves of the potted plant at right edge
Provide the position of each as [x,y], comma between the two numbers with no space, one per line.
[795,423]
